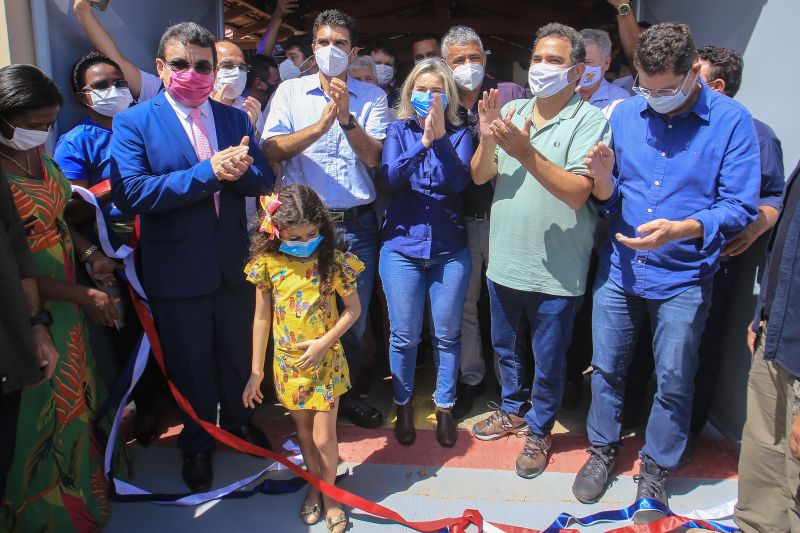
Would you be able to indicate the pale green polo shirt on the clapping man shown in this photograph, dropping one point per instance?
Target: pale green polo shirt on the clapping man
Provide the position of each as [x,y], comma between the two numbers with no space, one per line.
[536,241]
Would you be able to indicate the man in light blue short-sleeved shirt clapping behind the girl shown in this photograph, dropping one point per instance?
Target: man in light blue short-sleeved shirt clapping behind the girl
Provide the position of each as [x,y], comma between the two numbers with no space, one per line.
[326,130]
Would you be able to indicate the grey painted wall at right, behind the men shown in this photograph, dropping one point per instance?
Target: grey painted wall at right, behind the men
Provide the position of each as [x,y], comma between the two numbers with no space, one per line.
[757,29]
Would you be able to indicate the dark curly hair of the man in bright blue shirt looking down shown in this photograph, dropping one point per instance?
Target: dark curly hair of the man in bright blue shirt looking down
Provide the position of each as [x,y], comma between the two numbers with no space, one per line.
[666,47]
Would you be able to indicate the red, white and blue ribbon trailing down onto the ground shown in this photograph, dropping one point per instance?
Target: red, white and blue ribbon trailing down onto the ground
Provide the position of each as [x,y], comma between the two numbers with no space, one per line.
[151,342]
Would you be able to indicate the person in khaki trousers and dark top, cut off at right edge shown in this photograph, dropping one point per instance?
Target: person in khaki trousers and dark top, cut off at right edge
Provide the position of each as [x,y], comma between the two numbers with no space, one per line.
[769,463]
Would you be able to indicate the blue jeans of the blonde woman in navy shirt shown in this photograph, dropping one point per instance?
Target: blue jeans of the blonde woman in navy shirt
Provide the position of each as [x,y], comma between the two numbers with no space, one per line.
[407,282]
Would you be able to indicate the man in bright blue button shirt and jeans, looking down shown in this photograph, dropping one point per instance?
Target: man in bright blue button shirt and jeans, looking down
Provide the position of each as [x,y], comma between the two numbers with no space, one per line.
[686,175]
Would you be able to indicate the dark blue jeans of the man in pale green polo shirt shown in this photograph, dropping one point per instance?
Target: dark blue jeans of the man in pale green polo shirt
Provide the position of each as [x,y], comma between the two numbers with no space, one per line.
[548,321]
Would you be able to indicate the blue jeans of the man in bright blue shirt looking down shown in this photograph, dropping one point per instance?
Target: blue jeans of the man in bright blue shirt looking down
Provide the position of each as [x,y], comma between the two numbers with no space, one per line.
[677,324]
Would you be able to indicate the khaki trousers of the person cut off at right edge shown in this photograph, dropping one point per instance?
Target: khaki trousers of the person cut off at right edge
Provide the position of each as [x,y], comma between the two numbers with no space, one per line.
[769,477]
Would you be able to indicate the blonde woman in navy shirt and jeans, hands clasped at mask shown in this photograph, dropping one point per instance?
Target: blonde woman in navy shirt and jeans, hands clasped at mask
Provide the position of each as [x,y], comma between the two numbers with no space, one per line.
[426,158]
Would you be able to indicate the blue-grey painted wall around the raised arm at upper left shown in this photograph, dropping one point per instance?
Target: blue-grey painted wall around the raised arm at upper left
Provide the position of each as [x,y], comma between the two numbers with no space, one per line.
[136,25]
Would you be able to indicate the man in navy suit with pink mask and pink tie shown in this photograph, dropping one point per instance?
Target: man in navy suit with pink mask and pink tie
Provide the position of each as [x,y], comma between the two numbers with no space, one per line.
[184,164]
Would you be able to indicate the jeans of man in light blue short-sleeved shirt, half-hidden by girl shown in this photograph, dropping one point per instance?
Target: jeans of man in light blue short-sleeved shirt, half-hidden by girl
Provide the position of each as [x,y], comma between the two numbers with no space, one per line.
[361,236]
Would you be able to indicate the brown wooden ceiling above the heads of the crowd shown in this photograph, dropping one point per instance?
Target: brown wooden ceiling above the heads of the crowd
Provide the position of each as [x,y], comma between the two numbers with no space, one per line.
[506,26]
